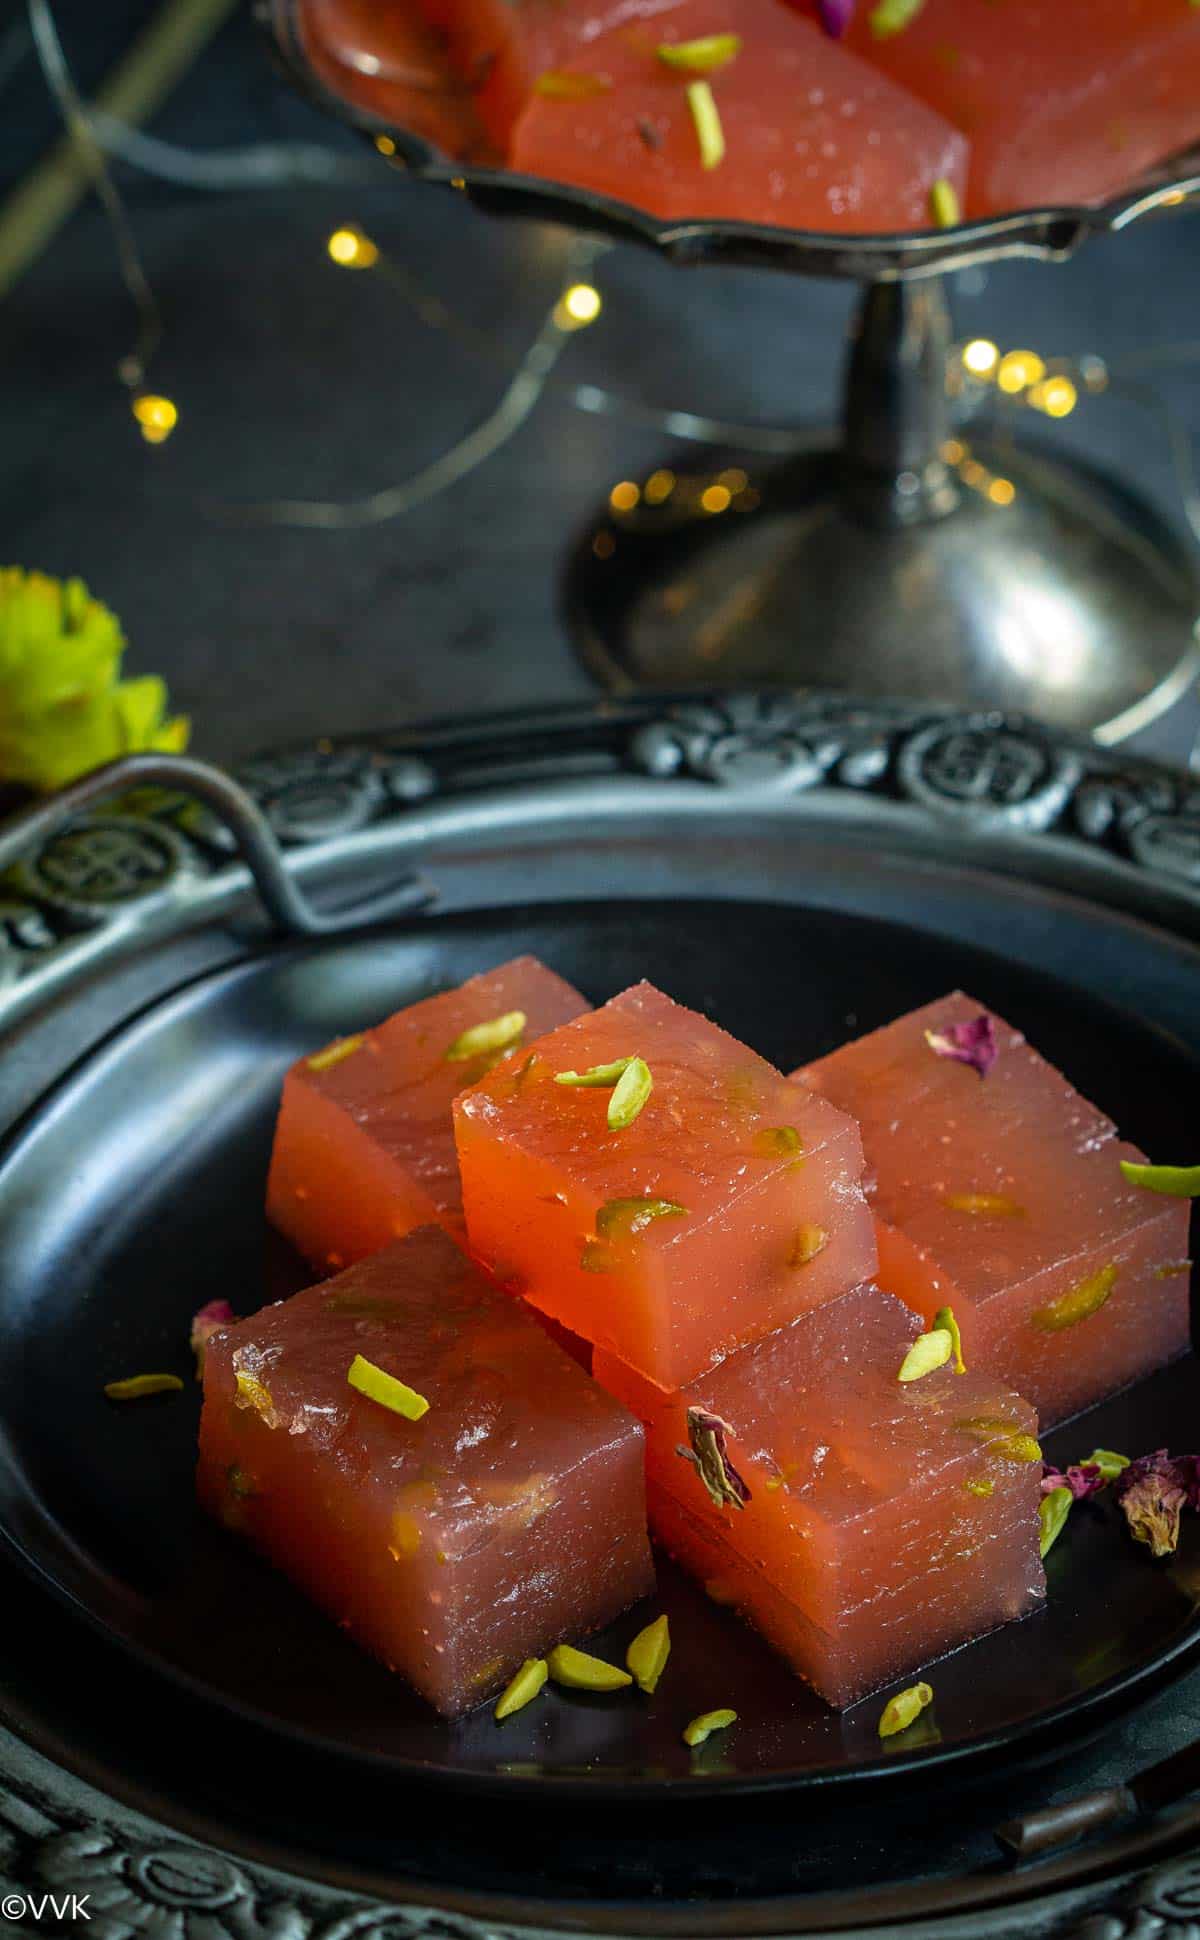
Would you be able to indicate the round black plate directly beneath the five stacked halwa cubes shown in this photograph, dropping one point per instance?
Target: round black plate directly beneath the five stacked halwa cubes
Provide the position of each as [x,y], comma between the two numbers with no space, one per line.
[135,1194]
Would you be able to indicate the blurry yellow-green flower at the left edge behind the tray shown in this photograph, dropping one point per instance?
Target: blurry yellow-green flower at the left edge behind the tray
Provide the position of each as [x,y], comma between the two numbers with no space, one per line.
[63,703]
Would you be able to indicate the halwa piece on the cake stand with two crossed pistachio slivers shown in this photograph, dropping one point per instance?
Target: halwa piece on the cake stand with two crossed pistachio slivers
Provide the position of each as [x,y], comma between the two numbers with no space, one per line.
[813,137]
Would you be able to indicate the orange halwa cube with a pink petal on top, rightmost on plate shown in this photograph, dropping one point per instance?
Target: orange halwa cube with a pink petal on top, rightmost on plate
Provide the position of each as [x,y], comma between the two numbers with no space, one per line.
[1003,1198]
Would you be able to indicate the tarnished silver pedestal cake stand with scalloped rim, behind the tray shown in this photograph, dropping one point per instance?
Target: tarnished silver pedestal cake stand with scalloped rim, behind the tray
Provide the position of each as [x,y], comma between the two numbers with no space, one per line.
[881,562]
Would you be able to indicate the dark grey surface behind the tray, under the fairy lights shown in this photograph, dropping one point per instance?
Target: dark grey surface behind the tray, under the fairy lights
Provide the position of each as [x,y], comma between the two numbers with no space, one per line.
[301,379]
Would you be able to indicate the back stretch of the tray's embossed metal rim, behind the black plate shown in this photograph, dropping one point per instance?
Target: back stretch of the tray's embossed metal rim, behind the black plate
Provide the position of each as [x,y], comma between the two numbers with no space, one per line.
[88,886]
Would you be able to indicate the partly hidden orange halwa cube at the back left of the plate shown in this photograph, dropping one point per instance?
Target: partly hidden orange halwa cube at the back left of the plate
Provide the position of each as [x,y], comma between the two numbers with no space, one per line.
[365,1142]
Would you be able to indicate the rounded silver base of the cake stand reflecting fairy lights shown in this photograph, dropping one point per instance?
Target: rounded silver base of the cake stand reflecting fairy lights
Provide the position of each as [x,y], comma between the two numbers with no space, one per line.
[1050,589]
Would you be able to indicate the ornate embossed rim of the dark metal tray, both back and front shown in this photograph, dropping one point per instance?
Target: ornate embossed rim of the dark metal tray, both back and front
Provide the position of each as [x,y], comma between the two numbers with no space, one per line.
[108,884]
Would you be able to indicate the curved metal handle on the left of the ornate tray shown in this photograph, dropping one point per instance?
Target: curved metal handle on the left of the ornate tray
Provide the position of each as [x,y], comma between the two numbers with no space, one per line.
[282,897]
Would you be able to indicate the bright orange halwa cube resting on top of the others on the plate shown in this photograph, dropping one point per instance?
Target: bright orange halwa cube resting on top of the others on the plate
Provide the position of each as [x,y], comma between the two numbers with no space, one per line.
[753,1163]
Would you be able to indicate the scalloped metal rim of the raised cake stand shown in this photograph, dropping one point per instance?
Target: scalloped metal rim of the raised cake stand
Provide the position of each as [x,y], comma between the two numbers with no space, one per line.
[1050,234]
